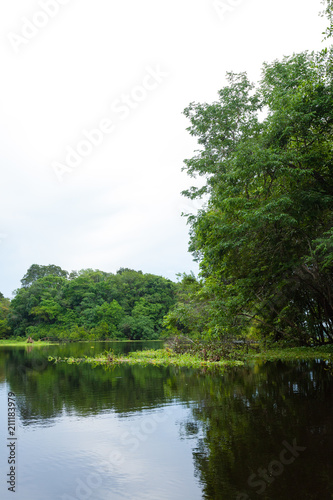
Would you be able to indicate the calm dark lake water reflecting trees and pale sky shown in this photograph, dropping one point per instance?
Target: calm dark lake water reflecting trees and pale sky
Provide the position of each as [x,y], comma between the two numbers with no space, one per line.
[139,433]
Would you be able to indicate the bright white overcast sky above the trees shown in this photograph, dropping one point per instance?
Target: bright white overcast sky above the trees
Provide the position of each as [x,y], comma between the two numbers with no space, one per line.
[121,205]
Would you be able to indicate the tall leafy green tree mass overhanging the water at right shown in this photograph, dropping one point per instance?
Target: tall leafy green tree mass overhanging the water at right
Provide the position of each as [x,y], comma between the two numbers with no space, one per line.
[265,237]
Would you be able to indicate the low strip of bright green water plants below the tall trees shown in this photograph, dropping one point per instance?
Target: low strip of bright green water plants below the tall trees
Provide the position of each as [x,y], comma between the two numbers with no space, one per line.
[166,357]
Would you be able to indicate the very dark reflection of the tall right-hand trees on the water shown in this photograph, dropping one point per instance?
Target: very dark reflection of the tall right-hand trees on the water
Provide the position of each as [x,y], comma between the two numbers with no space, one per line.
[247,417]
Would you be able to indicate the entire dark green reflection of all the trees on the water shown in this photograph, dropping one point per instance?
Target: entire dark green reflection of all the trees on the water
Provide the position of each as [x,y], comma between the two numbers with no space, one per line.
[238,422]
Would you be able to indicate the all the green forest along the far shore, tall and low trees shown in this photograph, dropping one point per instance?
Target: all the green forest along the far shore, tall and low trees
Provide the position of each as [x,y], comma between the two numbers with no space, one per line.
[263,238]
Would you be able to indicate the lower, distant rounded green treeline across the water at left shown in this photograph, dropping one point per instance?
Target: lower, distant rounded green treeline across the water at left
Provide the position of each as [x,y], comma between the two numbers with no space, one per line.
[89,304]
